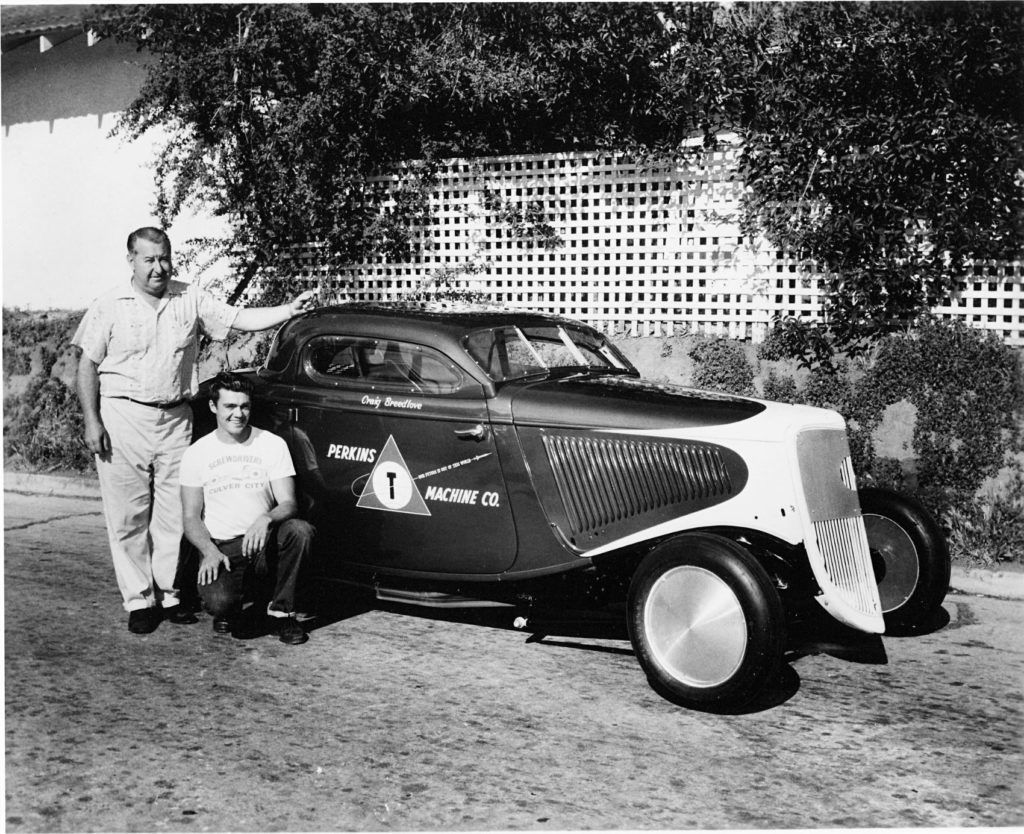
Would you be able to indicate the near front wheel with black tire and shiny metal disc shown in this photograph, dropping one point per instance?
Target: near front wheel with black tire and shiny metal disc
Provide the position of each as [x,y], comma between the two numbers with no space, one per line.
[706,622]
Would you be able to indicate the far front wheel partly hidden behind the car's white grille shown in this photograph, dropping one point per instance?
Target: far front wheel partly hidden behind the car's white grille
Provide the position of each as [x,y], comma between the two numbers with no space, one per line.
[911,558]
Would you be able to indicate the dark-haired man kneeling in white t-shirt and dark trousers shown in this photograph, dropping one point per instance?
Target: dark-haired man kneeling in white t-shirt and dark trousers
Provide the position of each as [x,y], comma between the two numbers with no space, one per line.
[238,496]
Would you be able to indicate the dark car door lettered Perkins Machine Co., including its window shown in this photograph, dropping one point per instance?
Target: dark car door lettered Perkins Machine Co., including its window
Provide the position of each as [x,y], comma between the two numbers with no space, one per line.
[408,474]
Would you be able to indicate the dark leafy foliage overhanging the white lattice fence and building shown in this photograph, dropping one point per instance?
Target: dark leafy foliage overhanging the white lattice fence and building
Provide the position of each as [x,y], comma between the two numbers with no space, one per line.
[880,141]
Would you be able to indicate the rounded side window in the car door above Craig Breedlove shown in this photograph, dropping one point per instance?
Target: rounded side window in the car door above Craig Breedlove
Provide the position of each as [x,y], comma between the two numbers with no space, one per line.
[380,365]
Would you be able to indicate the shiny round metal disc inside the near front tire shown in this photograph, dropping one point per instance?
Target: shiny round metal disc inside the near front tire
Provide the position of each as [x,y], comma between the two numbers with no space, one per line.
[696,628]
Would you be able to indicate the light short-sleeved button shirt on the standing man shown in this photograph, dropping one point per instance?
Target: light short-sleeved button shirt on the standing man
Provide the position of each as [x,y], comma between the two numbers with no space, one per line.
[150,354]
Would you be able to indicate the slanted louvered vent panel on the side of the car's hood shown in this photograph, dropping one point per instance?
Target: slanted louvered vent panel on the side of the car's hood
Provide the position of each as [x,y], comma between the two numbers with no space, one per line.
[605,481]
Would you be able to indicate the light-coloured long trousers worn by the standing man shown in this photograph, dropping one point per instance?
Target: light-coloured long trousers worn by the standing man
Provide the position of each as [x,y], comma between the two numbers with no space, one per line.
[143,498]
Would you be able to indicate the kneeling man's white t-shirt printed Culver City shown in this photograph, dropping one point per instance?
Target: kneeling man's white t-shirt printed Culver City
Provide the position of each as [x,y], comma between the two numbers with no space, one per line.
[236,479]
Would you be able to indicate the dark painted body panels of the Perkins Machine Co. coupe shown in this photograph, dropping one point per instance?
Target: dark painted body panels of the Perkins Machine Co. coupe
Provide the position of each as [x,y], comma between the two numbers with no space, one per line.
[527,530]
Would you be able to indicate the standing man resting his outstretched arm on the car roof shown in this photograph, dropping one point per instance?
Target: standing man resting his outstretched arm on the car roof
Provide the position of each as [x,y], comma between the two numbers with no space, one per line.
[137,372]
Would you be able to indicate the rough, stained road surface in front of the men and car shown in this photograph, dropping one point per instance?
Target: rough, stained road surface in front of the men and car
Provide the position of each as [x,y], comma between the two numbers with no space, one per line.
[391,722]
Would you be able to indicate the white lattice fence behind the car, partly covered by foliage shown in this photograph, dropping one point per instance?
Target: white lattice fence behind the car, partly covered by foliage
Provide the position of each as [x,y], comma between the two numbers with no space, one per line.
[649,252]
